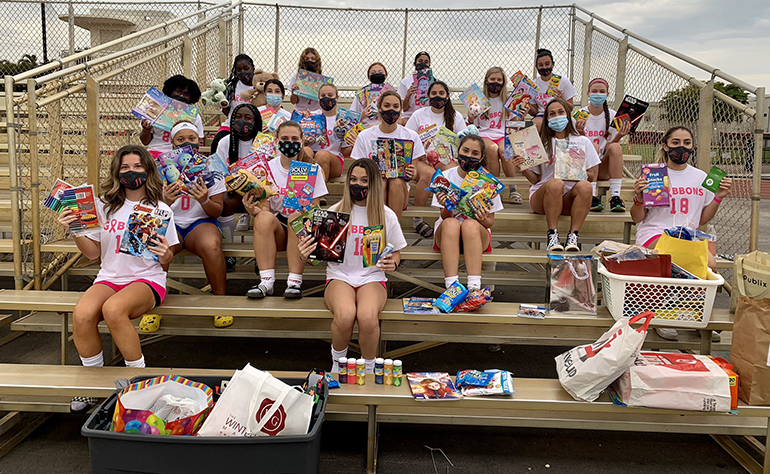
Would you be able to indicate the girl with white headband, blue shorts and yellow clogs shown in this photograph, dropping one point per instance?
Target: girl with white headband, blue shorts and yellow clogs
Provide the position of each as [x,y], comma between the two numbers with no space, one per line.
[196,209]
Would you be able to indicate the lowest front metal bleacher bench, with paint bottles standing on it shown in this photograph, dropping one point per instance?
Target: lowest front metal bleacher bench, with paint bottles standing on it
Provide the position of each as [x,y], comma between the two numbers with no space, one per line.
[537,403]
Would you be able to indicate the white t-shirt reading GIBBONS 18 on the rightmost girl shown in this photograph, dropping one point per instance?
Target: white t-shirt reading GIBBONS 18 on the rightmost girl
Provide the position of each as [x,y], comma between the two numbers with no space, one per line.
[688,197]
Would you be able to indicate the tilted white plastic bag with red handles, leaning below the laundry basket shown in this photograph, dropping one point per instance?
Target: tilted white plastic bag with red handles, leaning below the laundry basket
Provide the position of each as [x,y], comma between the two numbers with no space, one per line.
[584,371]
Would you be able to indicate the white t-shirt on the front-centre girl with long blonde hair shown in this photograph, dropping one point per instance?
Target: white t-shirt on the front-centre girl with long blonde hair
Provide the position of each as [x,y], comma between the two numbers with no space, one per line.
[352,270]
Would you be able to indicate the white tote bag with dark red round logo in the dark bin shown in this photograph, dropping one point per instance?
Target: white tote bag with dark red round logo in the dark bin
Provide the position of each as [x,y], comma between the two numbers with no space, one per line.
[257,404]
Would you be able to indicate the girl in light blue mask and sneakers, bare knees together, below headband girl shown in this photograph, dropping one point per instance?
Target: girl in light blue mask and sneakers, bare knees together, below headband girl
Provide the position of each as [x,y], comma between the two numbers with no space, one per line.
[553,196]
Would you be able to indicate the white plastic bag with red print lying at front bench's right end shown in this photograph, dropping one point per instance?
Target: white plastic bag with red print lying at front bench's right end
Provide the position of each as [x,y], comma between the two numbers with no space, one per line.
[676,381]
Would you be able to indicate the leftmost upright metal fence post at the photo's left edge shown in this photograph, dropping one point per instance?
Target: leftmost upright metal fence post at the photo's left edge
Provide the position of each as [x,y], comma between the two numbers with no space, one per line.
[11,127]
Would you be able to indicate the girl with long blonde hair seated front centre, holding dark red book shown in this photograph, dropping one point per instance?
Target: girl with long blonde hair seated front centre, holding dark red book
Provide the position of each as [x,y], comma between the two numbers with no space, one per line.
[354,292]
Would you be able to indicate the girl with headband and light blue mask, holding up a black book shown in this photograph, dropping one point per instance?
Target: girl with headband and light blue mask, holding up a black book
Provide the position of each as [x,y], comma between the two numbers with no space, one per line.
[606,139]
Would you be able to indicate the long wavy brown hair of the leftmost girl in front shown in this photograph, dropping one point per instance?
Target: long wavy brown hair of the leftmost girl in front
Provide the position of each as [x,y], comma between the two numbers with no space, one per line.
[114,194]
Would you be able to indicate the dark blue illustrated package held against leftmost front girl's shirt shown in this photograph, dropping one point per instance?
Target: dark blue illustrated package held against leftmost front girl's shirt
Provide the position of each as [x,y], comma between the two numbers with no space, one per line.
[144,224]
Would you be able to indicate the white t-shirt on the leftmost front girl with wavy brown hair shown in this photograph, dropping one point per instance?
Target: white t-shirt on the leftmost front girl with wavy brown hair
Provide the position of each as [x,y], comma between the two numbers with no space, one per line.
[120,268]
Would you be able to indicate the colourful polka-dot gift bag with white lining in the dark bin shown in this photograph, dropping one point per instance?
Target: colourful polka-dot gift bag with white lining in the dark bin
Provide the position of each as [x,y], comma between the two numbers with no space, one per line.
[166,405]
